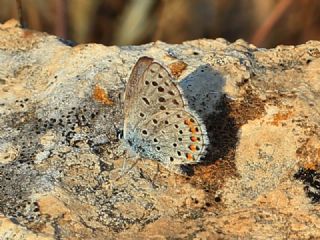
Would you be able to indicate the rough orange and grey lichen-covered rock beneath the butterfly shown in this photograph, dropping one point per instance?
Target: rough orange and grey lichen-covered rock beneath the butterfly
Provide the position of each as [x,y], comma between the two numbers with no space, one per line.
[60,156]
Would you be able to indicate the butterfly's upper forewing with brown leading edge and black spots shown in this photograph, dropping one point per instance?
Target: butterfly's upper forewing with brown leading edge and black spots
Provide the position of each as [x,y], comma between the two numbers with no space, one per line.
[149,90]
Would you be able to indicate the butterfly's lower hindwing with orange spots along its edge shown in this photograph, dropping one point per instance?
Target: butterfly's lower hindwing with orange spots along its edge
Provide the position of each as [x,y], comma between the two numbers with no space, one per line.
[173,137]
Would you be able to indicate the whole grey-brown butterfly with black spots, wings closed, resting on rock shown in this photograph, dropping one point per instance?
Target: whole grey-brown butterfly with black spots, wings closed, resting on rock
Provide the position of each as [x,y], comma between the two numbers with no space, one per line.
[158,124]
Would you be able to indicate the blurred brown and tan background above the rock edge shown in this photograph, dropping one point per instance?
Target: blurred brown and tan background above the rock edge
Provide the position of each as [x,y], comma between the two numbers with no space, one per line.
[265,23]
